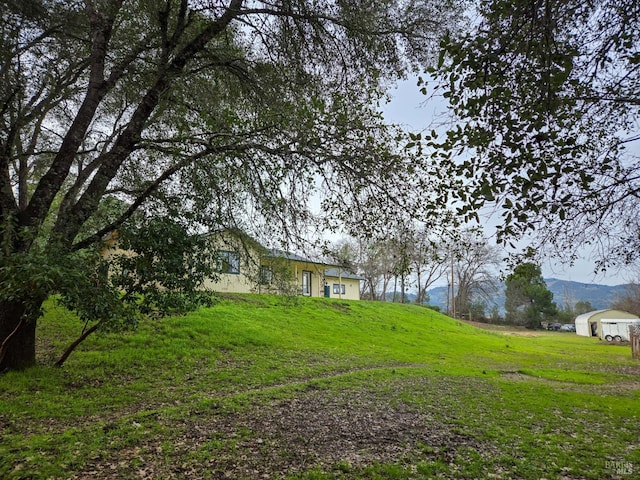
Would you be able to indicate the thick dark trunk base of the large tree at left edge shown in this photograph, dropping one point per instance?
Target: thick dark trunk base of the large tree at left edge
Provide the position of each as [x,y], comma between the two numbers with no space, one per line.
[17,338]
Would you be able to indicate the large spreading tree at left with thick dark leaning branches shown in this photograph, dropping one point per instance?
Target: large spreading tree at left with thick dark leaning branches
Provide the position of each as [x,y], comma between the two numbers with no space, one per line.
[217,113]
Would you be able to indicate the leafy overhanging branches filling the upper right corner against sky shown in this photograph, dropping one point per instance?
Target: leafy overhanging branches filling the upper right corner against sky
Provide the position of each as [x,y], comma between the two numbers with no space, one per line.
[546,96]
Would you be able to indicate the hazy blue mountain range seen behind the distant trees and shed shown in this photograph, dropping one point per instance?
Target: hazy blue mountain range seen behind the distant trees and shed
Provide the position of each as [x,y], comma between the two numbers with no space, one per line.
[564,292]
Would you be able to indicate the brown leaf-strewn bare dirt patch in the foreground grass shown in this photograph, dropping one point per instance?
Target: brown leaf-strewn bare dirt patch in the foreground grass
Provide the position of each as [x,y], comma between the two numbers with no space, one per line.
[320,429]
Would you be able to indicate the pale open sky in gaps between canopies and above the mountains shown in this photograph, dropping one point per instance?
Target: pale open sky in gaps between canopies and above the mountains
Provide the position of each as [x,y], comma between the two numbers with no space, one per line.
[409,108]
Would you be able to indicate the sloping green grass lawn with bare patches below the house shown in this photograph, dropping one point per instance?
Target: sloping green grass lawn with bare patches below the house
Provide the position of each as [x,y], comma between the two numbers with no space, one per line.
[268,387]
